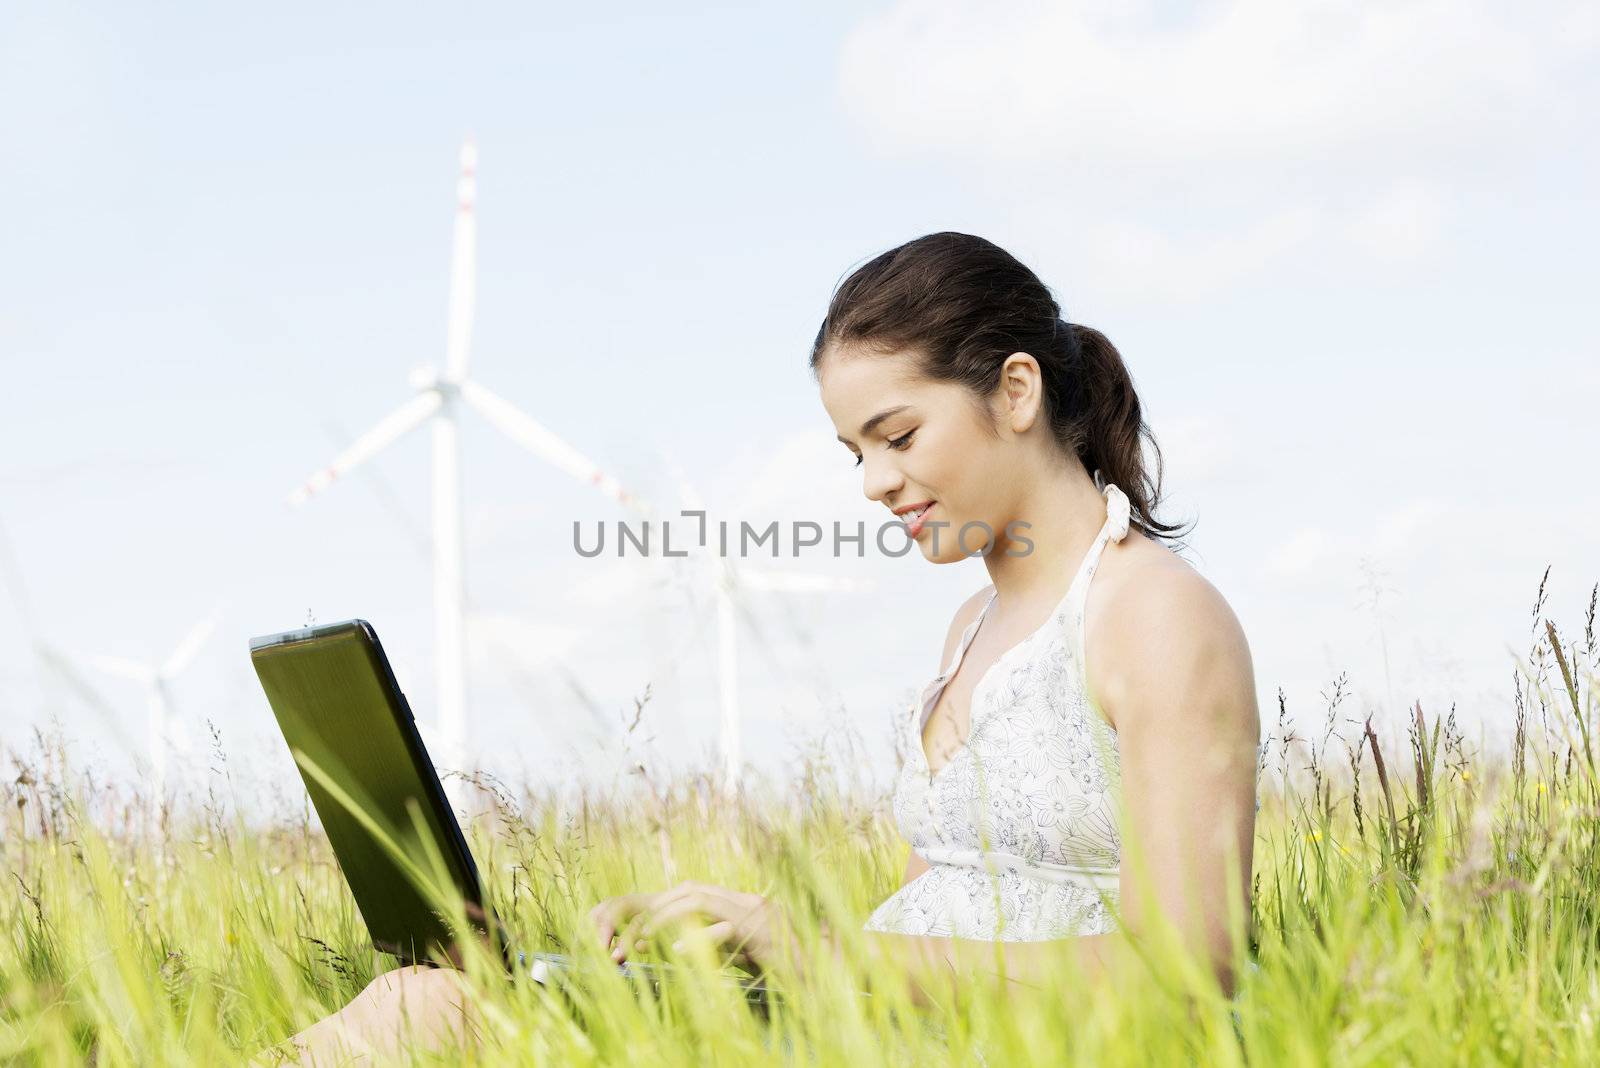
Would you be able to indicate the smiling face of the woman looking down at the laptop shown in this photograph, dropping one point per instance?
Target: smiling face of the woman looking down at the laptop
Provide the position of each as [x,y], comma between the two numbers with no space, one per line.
[919,442]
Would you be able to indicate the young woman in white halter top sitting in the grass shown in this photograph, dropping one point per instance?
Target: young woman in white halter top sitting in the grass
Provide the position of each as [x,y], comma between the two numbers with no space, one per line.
[1097,690]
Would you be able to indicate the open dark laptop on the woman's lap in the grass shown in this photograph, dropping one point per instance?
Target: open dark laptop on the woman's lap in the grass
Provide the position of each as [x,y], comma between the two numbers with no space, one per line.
[402,853]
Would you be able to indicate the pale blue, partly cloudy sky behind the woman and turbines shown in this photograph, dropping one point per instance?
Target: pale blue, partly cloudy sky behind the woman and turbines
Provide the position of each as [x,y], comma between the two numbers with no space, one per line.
[1346,250]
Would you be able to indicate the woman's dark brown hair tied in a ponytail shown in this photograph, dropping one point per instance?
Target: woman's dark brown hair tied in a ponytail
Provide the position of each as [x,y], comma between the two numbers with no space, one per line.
[964,305]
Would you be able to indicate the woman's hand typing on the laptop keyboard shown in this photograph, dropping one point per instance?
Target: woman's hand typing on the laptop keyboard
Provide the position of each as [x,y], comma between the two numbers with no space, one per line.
[750,927]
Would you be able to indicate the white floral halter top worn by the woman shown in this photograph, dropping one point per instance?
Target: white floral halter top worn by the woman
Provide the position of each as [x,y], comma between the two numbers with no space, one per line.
[1020,827]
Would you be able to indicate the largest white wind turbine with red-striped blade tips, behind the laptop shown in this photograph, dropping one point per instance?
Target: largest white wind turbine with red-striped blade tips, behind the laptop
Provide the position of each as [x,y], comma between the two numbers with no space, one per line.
[438,399]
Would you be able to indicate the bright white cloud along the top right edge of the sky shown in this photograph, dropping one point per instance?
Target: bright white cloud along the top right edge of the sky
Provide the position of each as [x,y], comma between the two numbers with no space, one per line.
[1247,81]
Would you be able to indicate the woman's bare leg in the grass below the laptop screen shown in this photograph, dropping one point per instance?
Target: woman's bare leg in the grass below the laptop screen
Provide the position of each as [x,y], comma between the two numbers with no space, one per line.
[402,1010]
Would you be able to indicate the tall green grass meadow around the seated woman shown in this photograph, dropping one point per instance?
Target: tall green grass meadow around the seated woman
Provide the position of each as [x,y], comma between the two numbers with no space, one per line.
[1417,903]
